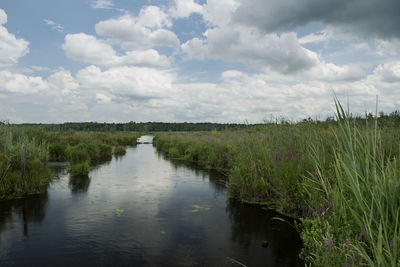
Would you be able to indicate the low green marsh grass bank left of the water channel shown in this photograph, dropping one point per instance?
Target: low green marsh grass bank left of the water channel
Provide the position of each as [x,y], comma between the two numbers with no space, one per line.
[81,149]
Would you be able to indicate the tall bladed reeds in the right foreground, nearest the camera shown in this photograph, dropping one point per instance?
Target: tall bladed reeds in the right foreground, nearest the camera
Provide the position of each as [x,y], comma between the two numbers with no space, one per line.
[364,187]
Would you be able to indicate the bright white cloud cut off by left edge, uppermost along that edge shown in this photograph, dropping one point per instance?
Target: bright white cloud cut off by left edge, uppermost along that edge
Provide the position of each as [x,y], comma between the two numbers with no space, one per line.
[11,48]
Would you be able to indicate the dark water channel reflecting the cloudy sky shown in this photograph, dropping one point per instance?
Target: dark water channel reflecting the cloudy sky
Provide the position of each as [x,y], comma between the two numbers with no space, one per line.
[141,210]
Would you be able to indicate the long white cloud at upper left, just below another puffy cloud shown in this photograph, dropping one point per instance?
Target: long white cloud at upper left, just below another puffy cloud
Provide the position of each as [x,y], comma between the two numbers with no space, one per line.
[87,48]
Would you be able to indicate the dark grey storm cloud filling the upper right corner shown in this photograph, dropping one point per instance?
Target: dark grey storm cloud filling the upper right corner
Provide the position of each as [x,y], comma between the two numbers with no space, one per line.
[366,18]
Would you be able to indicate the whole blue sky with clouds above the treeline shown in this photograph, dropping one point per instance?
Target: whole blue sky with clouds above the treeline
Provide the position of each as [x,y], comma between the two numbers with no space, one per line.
[195,61]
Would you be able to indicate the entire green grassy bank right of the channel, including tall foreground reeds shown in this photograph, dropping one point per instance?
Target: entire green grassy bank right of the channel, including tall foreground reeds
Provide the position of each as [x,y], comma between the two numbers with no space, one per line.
[338,176]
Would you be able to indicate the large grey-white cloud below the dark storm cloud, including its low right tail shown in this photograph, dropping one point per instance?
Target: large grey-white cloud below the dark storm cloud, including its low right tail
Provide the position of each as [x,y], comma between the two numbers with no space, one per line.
[267,52]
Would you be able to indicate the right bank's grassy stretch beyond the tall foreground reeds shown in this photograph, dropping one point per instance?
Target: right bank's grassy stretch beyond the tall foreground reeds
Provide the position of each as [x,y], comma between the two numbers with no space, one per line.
[265,164]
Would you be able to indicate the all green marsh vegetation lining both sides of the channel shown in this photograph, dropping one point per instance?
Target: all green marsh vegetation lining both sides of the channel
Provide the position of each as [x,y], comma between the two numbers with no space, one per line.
[339,178]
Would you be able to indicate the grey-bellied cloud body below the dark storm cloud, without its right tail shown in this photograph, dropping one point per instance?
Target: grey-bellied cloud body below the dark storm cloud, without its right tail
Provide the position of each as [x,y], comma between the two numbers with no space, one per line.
[266,52]
